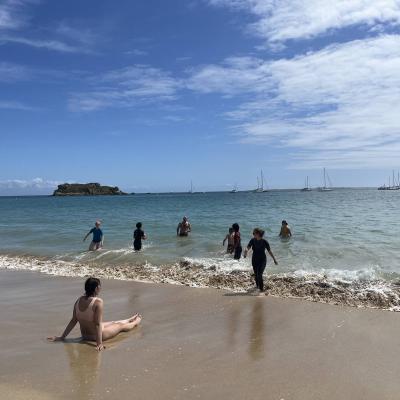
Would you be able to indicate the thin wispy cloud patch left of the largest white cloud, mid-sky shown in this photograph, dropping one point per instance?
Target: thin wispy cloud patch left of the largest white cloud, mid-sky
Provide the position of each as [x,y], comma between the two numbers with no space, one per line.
[126,87]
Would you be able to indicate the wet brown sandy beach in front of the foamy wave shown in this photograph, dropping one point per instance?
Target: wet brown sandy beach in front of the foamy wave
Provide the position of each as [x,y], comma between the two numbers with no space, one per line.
[193,344]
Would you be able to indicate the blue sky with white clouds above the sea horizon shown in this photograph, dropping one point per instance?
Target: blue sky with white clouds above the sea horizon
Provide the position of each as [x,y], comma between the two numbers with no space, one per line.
[149,95]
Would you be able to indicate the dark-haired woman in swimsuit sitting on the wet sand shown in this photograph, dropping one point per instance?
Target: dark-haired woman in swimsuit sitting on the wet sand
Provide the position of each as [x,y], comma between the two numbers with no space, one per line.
[88,311]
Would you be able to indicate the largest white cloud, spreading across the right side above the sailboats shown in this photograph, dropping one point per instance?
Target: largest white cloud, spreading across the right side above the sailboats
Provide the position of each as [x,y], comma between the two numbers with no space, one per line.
[339,105]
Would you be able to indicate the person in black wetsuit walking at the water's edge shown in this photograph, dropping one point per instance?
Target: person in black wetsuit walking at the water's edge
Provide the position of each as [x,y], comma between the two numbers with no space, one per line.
[259,258]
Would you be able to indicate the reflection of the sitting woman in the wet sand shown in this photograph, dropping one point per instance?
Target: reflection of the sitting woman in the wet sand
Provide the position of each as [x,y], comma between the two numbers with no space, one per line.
[84,364]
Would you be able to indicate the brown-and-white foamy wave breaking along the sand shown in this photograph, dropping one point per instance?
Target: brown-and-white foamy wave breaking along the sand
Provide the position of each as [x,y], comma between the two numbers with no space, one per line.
[375,294]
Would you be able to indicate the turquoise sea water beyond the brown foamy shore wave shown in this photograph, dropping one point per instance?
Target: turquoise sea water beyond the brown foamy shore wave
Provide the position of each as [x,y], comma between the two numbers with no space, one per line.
[349,232]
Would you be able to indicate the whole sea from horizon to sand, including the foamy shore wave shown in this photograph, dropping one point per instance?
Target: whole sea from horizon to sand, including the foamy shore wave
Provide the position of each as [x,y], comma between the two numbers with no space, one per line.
[344,249]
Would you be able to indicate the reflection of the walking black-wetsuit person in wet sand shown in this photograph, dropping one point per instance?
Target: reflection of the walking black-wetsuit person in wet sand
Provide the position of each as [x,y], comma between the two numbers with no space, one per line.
[257,330]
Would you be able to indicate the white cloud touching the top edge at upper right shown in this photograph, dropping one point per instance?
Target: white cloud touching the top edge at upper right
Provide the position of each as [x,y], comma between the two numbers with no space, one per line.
[281,20]
